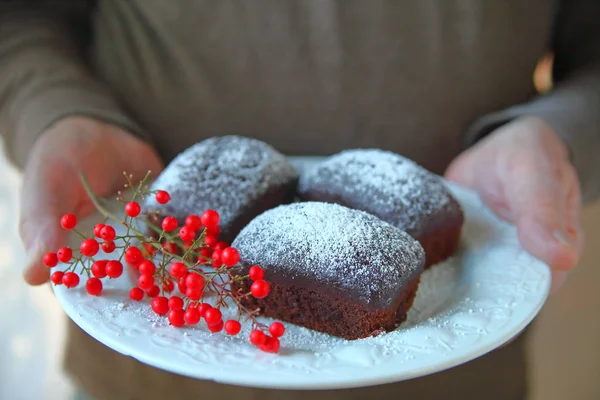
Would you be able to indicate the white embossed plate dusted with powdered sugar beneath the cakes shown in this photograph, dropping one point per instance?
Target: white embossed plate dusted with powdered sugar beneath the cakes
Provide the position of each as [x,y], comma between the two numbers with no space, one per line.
[464,308]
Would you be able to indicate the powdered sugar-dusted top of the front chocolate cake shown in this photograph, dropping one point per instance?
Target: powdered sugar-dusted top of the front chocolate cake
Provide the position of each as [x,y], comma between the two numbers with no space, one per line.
[332,245]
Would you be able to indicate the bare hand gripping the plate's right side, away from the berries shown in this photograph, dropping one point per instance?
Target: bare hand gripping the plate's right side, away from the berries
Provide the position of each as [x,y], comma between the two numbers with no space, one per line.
[522,171]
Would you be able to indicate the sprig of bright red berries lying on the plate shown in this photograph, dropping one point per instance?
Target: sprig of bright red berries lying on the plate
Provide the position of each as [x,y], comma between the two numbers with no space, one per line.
[188,256]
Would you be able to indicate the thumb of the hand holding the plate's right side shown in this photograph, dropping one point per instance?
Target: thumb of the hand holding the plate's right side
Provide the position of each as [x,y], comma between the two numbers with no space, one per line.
[538,199]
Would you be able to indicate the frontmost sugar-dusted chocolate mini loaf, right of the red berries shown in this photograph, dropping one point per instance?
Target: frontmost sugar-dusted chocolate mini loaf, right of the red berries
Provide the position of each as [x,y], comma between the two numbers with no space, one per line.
[332,269]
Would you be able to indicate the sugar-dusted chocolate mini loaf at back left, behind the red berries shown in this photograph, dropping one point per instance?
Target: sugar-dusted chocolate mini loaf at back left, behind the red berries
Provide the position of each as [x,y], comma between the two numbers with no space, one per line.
[236,176]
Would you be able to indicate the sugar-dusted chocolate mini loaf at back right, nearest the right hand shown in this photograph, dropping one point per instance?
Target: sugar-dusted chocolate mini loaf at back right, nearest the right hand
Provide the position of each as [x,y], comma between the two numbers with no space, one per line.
[393,188]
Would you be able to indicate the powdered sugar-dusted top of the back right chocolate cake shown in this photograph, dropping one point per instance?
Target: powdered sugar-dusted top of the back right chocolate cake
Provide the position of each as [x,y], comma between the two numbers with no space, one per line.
[386,184]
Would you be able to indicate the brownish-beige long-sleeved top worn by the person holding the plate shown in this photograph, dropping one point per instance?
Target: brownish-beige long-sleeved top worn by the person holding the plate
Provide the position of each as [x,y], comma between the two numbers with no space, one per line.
[423,78]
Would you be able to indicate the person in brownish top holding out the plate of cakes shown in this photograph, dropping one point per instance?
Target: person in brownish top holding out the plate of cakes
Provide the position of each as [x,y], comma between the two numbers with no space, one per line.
[124,85]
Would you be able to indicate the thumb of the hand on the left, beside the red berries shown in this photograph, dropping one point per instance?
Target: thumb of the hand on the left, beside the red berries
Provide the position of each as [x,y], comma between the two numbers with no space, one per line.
[44,201]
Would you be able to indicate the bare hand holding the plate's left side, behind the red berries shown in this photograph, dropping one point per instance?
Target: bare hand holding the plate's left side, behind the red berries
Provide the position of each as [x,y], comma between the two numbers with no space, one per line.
[51,184]
